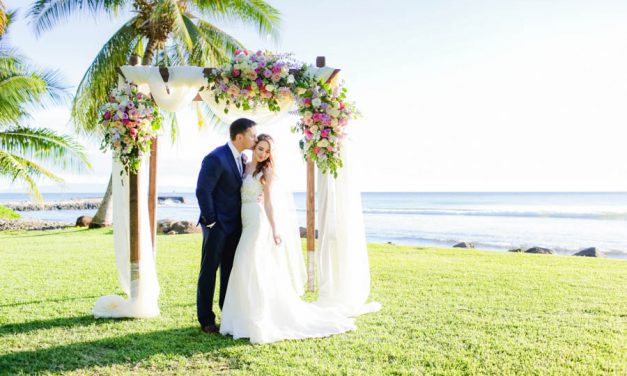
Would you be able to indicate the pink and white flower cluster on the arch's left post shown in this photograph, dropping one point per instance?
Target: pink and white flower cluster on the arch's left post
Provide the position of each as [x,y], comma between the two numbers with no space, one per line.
[130,120]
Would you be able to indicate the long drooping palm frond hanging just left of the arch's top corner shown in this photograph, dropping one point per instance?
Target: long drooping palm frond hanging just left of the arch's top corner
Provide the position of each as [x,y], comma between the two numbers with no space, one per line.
[100,77]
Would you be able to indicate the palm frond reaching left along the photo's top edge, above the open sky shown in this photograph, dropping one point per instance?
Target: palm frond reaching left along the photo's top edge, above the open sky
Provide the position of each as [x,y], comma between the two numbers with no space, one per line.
[45,14]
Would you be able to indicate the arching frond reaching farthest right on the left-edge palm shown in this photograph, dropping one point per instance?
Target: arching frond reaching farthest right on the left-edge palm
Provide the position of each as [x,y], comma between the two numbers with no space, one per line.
[46,145]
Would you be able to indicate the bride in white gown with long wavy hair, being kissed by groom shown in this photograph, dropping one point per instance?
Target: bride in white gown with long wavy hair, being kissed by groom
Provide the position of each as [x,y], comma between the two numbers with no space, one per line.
[263,298]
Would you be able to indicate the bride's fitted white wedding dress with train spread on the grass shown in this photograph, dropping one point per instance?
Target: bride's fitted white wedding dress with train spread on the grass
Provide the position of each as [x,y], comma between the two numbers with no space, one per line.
[262,299]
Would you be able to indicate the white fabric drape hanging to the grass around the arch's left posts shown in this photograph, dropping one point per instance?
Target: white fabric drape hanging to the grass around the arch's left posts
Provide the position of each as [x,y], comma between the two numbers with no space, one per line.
[144,292]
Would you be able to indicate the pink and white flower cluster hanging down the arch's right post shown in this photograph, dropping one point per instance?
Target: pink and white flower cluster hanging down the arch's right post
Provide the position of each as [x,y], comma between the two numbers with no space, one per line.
[324,114]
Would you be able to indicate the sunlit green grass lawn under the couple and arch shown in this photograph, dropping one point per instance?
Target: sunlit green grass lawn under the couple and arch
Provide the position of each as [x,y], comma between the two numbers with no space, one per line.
[445,311]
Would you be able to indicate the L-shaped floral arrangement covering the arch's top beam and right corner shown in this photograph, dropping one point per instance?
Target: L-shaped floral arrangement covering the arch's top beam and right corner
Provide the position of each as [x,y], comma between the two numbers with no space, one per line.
[263,79]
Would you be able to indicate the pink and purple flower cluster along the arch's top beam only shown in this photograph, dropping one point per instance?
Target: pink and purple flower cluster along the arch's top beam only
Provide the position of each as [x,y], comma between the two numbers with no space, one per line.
[254,79]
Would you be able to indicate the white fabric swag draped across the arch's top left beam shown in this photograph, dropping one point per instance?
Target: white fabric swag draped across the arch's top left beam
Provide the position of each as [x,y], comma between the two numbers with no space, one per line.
[182,86]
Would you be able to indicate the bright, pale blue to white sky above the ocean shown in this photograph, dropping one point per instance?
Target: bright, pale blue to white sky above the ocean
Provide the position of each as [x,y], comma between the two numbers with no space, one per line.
[456,95]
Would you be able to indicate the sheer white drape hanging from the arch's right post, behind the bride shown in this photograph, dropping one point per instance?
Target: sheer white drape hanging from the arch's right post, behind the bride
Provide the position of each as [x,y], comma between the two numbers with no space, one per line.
[342,253]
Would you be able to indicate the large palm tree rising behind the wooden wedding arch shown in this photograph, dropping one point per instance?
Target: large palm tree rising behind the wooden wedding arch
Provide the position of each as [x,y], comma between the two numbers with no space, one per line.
[160,32]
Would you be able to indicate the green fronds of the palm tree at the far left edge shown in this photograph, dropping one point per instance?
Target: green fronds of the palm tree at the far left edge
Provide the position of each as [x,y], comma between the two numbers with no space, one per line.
[24,151]
